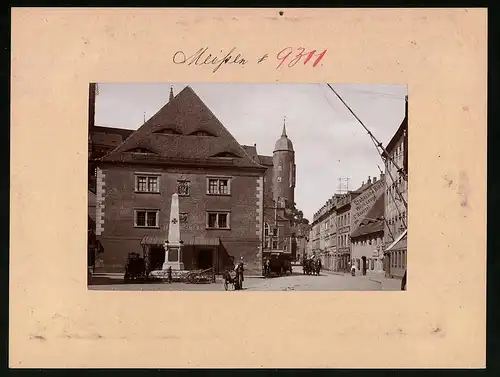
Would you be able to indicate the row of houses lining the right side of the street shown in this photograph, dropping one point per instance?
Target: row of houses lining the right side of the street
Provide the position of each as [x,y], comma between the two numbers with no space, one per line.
[367,227]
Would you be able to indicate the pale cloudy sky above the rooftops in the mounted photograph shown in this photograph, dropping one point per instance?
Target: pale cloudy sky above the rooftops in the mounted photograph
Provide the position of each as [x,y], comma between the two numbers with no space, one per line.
[329,142]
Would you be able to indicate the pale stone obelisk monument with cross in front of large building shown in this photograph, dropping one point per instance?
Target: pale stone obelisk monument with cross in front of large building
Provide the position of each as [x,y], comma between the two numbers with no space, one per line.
[173,245]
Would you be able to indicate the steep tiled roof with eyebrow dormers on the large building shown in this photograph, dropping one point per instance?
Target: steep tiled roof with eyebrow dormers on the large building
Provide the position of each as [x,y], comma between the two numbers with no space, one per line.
[170,137]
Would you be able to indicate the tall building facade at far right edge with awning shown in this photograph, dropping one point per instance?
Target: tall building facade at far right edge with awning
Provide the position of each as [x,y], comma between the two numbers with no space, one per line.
[396,202]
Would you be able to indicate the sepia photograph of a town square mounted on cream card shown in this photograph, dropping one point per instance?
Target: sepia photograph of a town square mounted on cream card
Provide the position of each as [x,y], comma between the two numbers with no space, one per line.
[247,187]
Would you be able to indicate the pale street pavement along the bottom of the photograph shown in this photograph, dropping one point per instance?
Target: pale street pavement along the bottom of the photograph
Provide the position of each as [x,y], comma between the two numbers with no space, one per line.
[327,281]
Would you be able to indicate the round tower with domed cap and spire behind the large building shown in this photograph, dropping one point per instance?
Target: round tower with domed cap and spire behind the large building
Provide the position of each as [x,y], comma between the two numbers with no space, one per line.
[284,171]
